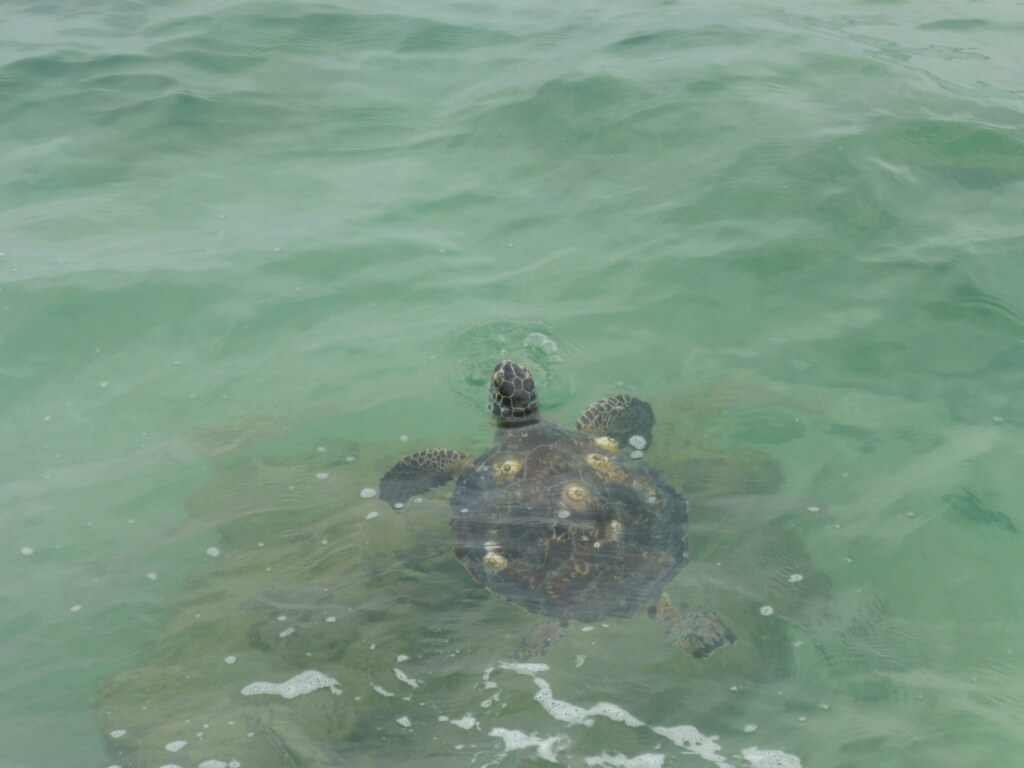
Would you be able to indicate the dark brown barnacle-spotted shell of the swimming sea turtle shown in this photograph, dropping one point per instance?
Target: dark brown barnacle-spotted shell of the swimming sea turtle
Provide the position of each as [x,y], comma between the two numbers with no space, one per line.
[568,526]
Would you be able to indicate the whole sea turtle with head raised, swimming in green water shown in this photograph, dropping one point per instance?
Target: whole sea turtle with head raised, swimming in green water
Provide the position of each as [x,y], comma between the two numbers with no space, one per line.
[566,524]
